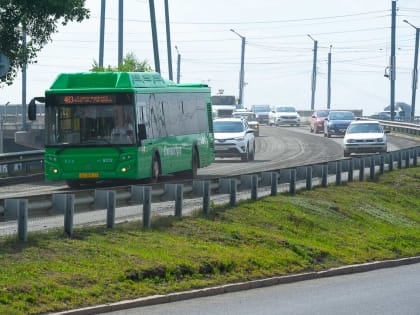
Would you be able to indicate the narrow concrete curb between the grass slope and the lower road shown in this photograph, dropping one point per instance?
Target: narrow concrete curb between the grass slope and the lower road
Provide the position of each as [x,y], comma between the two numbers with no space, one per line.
[253,284]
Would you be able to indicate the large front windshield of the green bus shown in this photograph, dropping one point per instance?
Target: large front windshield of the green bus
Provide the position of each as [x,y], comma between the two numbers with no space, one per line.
[90,124]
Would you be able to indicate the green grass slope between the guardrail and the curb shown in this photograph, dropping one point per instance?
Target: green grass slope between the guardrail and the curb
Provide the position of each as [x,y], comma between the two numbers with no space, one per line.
[313,230]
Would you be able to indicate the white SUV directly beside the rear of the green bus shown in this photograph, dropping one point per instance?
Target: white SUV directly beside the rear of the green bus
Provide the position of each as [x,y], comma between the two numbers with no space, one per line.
[233,138]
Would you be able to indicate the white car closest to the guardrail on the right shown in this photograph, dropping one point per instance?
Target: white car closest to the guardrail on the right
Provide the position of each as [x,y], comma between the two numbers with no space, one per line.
[364,137]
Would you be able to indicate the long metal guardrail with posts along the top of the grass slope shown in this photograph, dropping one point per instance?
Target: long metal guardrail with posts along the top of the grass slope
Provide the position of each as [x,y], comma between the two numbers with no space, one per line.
[98,206]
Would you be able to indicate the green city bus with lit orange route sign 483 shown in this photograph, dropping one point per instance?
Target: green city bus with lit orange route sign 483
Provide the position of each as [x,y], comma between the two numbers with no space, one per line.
[124,125]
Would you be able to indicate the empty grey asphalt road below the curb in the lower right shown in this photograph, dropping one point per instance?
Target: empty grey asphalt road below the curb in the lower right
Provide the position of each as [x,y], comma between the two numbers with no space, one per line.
[388,291]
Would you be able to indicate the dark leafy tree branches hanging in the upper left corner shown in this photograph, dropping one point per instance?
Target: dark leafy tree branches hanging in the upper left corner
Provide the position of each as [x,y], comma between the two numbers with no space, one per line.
[39,19]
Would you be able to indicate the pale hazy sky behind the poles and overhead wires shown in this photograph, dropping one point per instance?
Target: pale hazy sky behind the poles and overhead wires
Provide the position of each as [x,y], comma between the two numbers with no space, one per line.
[278,51]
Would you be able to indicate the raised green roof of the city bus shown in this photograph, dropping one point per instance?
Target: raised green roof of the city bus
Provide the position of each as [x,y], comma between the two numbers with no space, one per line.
[113,80]
